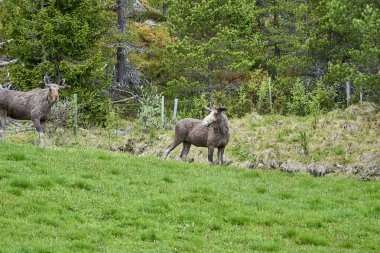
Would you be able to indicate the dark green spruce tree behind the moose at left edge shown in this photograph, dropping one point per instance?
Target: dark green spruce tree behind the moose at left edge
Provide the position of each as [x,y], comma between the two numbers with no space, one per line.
[63,39]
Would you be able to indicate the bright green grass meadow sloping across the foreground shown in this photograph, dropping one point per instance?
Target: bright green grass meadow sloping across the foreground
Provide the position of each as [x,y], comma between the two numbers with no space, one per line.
[83,200]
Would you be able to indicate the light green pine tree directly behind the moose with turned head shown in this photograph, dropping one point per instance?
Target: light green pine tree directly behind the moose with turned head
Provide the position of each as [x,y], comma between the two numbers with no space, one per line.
[214,47]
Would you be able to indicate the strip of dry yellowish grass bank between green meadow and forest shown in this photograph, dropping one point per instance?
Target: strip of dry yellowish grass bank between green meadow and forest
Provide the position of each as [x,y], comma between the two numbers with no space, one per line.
[341,141]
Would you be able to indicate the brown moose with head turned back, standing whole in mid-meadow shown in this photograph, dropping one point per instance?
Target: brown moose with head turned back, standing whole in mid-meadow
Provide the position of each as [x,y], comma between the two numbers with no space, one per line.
[211,132]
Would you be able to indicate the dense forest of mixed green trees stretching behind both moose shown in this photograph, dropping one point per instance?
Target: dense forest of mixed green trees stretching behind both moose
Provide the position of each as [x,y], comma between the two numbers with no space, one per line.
[281,56]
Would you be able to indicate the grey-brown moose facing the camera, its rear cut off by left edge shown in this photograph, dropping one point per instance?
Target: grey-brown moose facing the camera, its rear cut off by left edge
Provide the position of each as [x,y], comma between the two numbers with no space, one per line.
[34,105]
